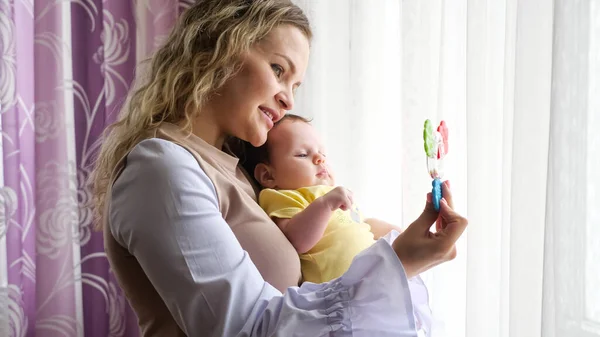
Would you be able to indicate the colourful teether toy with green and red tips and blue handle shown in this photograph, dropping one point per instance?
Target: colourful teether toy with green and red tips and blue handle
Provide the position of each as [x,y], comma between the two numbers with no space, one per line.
[436,148]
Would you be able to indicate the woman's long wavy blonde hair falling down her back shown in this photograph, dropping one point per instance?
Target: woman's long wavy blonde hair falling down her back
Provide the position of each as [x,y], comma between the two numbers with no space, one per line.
[201,53]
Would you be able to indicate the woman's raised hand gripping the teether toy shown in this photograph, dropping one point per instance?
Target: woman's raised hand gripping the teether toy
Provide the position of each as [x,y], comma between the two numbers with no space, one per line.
[418,248]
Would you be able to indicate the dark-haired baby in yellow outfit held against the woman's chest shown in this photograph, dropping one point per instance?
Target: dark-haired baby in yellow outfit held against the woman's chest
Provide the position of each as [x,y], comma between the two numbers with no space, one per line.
[299,194]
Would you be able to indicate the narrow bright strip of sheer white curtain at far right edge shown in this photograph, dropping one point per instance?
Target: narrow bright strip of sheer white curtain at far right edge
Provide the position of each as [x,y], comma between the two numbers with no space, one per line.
[572,252]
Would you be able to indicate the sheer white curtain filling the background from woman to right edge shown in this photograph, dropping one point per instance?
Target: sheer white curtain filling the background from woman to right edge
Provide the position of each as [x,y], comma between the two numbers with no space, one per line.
[519,84]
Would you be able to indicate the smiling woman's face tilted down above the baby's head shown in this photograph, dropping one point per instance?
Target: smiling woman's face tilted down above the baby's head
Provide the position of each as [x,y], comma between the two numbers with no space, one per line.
[263,91]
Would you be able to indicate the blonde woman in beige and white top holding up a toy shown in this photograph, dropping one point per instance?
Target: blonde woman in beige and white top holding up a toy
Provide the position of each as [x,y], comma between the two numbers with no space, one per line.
[193,252]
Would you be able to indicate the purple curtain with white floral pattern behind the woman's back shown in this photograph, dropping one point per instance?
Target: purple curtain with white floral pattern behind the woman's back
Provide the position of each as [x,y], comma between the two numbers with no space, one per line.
[65,70]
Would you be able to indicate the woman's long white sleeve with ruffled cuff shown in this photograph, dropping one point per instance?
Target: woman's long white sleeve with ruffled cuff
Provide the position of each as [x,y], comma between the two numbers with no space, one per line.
[165,212]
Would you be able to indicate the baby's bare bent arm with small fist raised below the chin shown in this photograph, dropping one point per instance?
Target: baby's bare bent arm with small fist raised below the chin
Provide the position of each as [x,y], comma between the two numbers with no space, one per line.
[306,228]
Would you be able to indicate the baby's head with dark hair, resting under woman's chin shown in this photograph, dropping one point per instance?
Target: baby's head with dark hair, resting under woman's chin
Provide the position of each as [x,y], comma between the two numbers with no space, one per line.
[293,156]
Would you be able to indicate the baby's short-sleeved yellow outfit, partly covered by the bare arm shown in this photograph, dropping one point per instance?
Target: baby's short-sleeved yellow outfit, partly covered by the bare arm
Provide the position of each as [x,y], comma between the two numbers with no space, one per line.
[342,240]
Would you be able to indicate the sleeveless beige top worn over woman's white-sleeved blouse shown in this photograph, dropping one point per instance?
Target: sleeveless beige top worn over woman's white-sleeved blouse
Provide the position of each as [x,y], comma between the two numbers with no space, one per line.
[267,247]
